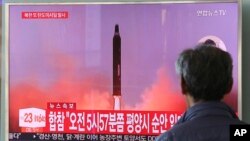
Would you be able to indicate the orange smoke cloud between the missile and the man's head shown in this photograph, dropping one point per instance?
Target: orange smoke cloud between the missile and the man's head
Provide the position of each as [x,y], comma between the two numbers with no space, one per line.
[161,96]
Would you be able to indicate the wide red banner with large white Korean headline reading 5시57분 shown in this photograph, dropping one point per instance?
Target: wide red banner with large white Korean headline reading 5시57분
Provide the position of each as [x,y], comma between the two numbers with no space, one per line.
[109,121]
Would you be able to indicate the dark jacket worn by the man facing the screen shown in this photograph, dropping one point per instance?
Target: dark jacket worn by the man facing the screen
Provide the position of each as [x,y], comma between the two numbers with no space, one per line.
[208,121]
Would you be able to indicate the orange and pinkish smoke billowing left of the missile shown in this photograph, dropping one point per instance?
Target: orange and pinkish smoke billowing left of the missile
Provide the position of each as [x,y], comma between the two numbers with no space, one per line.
[86,91]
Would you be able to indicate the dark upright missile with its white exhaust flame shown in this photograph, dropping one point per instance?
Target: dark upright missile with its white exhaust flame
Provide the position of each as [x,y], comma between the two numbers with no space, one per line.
[117,68]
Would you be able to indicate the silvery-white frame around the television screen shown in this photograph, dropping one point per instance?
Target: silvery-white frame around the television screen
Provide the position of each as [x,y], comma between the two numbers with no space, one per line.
[5,45]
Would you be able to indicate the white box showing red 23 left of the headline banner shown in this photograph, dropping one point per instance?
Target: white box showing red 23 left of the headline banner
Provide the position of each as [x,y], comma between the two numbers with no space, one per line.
[32,118]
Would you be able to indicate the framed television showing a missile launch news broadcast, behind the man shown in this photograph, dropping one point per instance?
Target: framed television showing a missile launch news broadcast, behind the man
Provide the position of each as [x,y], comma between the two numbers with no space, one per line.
[105,70]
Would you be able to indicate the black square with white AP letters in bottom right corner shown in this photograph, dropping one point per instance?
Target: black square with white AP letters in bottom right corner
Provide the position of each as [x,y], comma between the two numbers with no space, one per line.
[239,132]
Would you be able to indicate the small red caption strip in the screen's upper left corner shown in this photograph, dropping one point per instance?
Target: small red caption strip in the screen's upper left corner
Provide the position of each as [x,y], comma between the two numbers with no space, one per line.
[45,15]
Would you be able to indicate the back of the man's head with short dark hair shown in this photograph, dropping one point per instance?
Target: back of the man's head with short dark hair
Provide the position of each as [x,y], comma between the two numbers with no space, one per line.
[206,72]
